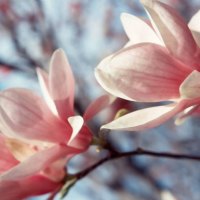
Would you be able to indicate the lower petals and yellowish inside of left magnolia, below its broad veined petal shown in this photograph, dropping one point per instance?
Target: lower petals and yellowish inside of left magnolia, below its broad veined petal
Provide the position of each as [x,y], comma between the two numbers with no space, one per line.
[26,171]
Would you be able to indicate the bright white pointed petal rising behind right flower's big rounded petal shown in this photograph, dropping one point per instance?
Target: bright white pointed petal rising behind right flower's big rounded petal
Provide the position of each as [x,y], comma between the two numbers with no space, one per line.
[138,31]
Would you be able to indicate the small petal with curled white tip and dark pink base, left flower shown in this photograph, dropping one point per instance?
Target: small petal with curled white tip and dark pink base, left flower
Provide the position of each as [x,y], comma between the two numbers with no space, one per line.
[81,136]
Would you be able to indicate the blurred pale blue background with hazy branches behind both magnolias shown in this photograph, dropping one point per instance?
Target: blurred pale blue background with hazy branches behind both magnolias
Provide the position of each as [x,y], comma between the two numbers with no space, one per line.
[88,31]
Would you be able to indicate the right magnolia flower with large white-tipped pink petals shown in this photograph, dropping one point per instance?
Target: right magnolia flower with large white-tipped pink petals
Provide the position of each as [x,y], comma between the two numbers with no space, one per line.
[160,62]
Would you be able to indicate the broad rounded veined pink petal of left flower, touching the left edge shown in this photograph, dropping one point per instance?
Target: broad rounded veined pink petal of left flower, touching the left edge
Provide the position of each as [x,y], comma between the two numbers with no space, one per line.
[24,115]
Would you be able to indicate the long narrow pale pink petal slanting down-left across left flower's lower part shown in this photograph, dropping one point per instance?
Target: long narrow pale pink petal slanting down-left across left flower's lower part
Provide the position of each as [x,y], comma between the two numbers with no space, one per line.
[38,162]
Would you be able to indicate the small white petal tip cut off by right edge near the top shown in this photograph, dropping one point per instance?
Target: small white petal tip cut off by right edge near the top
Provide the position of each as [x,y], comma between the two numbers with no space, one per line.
[195,28]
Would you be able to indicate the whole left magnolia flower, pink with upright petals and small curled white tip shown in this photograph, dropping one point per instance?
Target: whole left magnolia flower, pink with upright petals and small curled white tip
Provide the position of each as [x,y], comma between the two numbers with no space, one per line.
[39,136]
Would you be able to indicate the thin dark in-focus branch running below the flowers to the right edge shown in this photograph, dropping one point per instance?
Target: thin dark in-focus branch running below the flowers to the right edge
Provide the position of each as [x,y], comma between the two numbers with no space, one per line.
[137,152]
